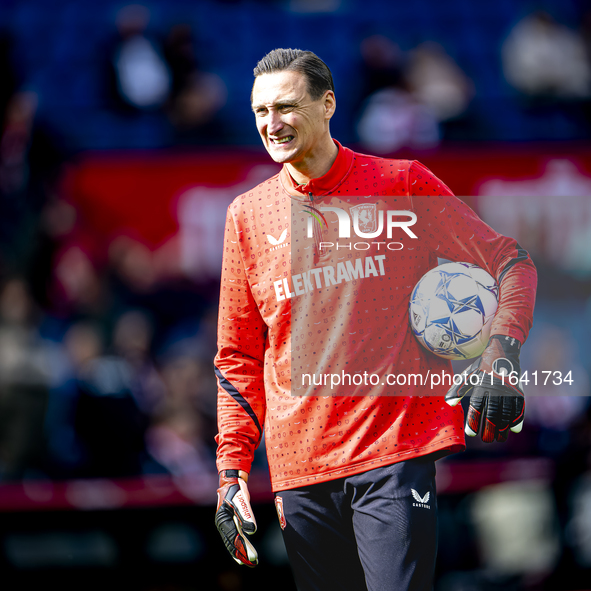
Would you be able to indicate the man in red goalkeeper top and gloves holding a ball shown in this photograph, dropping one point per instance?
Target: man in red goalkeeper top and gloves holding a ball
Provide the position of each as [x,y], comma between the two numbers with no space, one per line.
[319,264]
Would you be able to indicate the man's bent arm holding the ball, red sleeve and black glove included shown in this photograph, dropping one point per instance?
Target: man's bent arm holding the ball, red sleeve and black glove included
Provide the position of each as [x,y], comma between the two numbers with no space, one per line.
[453,231]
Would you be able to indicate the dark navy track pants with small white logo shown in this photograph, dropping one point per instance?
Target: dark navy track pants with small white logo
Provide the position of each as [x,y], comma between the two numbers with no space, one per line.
[368,532]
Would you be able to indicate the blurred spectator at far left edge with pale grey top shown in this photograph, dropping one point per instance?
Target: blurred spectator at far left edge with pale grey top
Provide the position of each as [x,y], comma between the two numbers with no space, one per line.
[24,383]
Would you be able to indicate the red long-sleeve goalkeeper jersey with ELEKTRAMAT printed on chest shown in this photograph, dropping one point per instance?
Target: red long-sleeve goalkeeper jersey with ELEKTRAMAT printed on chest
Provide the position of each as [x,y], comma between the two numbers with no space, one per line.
[316,281]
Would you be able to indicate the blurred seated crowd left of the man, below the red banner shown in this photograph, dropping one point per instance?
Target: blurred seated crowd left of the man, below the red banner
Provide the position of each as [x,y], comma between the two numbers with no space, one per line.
[89,396]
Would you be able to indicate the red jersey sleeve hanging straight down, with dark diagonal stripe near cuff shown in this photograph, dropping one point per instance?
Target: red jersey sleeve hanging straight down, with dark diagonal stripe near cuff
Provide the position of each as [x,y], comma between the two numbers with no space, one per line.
[239,363]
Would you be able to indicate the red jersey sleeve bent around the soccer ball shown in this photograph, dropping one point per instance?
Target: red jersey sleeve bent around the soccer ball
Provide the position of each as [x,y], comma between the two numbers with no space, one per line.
[453,231]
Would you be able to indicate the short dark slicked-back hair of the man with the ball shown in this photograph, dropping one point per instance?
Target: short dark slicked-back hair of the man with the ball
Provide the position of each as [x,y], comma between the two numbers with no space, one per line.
[317,73]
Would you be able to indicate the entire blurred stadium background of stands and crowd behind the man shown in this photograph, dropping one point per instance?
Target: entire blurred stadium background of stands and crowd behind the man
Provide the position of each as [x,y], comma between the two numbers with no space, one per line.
[126,132]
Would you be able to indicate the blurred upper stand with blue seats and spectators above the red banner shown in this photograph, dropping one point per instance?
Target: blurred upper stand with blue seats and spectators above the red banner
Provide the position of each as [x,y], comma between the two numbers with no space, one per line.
[158,75]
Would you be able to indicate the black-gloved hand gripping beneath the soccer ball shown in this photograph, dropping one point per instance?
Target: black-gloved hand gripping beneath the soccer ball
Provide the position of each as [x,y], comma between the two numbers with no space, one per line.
[496,398]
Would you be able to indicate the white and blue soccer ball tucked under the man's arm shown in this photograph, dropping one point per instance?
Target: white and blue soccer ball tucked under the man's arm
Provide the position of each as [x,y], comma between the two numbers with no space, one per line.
[452,308]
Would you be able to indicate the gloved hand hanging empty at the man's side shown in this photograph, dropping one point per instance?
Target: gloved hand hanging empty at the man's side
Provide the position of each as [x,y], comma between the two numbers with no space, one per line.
[234,517]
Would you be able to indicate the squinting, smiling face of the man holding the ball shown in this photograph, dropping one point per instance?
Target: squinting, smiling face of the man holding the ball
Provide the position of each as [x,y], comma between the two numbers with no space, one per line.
[294,127]
